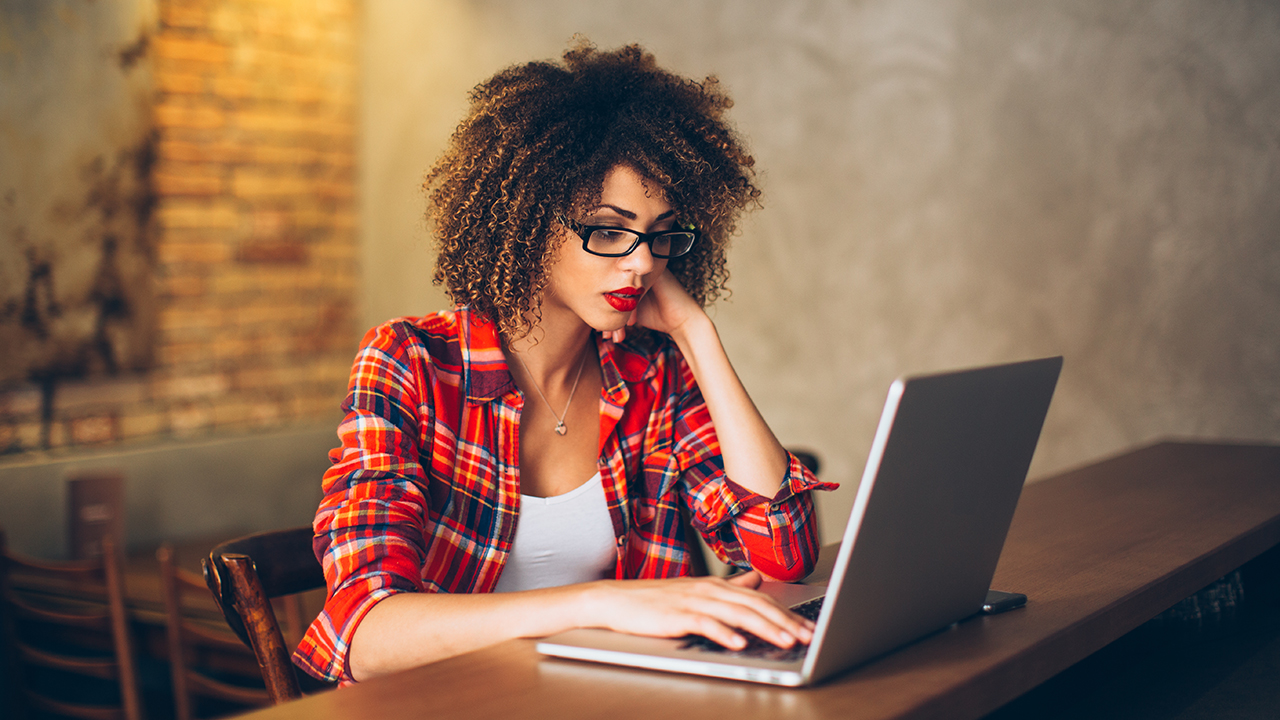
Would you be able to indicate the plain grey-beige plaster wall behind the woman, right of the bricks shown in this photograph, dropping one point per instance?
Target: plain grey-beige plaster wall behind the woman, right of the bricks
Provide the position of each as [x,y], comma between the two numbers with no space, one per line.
[947,184]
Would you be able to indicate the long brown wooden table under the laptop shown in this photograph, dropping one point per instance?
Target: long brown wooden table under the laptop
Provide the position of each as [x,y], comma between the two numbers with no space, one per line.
[1099,550]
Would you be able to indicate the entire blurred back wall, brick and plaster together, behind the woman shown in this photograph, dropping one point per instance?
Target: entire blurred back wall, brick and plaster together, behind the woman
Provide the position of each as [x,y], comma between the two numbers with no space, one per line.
[204,206]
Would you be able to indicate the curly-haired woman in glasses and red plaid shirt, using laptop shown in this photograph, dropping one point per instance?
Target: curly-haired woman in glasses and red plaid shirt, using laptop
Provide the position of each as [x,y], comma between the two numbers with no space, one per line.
[519,466]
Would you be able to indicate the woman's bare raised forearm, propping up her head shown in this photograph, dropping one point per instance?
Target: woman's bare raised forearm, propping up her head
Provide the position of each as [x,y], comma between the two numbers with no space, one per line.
[753,455]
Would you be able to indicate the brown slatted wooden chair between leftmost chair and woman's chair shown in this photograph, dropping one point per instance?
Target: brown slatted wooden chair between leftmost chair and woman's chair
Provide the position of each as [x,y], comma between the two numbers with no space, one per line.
[190,642]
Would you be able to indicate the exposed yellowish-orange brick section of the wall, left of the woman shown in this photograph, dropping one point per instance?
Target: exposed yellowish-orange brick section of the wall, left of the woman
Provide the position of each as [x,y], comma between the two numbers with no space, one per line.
[255,234]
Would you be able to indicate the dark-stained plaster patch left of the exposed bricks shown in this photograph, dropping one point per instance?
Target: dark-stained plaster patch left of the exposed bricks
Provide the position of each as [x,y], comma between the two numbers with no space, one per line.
[76,148]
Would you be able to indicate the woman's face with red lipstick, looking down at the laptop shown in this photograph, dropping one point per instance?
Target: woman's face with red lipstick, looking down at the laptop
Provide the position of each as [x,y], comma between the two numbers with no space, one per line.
[604,291]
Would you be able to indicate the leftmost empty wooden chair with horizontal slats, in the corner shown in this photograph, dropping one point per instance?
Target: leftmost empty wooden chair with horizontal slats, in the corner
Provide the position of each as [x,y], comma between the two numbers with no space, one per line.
[77,627]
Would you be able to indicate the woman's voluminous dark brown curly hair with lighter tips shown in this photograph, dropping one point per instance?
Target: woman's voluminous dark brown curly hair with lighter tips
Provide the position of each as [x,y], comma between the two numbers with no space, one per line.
[536,148]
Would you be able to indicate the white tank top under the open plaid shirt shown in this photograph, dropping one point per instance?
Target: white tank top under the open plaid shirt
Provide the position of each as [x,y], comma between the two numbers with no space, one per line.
[563,540]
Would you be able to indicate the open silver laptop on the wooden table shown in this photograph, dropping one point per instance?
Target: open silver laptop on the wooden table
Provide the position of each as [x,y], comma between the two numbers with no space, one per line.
[934,508]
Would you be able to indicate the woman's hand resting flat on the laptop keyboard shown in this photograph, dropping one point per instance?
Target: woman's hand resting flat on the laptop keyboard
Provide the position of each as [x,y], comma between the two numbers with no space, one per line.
[712,608]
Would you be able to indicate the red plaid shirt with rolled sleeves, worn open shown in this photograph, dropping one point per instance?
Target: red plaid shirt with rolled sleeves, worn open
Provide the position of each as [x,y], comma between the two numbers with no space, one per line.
[424,494]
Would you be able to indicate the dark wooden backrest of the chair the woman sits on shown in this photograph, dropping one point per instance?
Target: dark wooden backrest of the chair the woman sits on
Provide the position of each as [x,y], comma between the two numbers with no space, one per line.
[245,575]
